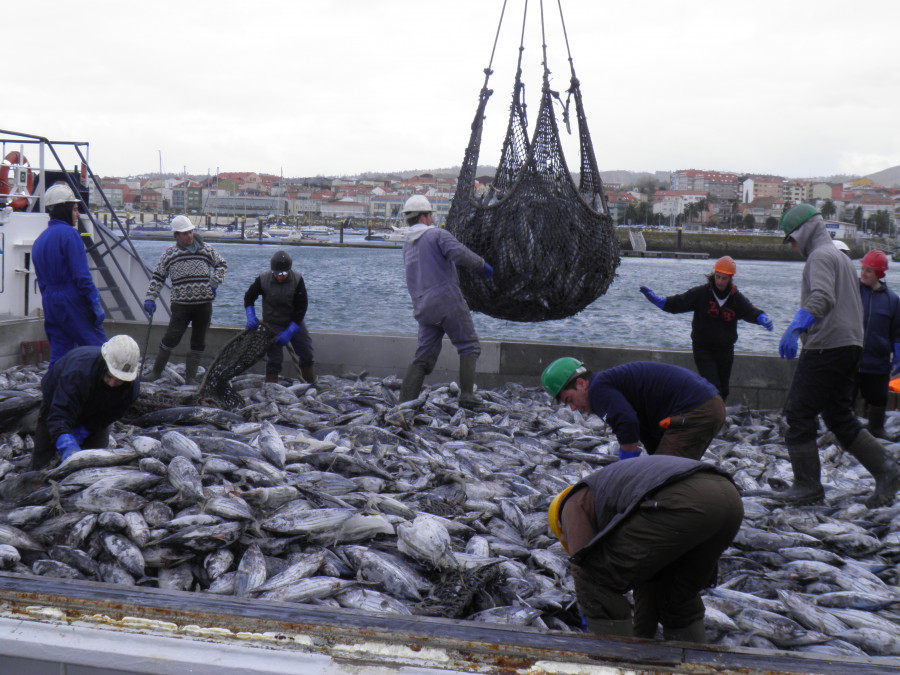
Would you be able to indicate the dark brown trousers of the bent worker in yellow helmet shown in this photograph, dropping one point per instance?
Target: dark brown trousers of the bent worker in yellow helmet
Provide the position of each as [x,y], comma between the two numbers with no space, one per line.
[667,550]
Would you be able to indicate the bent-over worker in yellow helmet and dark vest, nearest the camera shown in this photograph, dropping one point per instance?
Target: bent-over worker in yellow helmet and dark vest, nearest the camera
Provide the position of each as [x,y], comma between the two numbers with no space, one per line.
[654,524]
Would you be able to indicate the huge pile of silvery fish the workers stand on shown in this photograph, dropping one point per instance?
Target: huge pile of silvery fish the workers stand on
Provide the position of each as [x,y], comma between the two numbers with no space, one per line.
[337,495]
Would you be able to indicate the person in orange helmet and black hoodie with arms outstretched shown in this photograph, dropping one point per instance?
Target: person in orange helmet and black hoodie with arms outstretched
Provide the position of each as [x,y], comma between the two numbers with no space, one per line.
[717,306]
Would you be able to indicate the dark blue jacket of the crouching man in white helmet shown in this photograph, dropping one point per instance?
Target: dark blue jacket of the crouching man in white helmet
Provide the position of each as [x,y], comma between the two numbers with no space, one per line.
[75,393]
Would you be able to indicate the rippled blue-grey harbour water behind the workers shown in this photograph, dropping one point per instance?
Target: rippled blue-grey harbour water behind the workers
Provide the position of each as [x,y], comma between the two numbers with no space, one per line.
[364,290]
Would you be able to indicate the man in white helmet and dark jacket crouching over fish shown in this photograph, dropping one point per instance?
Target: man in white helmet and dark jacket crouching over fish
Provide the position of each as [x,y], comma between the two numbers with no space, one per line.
[84,392]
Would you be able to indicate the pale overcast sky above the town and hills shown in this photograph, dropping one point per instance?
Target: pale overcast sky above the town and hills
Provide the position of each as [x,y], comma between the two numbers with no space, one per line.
[798,88]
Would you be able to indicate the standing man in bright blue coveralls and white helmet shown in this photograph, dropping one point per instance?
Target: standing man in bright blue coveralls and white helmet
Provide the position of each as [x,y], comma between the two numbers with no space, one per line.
[73,315]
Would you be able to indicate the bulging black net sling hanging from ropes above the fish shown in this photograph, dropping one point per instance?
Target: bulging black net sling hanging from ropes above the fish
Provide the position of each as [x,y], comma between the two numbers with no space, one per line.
[552,245]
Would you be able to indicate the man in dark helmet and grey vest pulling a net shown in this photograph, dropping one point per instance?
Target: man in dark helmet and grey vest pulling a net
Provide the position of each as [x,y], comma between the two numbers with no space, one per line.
[284,308]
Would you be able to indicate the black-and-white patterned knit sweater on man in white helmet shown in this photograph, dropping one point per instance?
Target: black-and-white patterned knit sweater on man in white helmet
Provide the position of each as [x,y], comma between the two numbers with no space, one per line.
[194,275]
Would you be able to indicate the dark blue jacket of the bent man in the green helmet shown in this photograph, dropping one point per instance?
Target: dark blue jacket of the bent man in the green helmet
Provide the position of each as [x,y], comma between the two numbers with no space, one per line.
[636,397]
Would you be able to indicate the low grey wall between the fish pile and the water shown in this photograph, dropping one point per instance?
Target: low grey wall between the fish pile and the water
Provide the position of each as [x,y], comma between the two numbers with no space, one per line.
[758,381]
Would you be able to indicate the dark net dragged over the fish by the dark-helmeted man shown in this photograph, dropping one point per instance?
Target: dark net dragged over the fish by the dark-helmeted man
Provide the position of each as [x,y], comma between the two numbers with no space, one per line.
[236,356]
